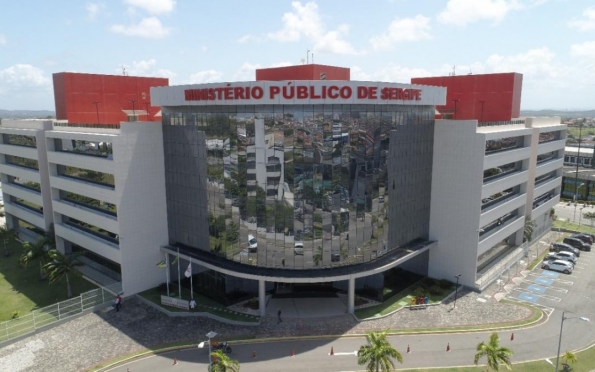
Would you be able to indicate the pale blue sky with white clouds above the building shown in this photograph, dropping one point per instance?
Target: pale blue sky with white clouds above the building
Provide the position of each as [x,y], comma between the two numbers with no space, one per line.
[550,42]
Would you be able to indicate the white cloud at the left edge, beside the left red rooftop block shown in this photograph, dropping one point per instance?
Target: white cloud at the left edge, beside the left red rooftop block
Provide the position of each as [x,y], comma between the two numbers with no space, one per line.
[23,79]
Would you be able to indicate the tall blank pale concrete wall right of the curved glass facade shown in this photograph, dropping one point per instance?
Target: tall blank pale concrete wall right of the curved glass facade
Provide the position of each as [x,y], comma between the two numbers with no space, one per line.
[456,200]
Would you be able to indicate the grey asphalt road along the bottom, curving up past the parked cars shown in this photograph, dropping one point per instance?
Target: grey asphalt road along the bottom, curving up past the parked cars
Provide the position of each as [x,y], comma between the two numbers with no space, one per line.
[535,342]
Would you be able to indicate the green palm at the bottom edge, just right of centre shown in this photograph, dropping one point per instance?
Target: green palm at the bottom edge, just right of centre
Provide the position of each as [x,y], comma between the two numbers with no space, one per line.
[378,354]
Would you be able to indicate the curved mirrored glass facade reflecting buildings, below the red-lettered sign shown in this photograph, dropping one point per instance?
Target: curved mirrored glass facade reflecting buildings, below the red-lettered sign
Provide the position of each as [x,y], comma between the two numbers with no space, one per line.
[298,187]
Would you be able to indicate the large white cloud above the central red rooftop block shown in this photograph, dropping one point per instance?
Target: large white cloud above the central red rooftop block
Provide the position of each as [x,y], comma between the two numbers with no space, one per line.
[304,21]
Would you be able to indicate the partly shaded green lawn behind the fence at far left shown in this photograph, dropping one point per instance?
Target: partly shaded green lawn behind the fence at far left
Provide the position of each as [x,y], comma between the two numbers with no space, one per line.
[20,288]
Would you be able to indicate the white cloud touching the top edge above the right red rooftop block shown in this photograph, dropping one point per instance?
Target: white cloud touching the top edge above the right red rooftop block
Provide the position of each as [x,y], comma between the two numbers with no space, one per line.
[462,12]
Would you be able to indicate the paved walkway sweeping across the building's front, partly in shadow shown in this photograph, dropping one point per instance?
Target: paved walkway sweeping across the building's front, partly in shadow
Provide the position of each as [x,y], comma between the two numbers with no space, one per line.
[94,338]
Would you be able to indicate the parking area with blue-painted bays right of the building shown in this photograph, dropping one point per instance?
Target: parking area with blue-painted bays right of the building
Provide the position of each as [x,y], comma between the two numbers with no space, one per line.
[550,289]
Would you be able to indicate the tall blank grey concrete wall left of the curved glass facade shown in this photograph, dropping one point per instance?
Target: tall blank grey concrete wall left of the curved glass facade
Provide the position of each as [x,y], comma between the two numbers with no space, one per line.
[142,216]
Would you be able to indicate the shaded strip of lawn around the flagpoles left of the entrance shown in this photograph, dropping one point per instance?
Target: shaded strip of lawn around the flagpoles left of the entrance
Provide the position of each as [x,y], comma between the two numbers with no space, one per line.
[203,304]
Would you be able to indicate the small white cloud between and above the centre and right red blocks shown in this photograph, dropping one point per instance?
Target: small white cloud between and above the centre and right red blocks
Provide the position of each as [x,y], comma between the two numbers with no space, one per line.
[403,30]
